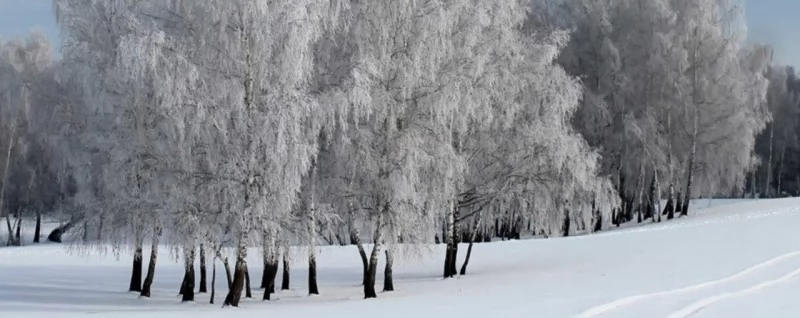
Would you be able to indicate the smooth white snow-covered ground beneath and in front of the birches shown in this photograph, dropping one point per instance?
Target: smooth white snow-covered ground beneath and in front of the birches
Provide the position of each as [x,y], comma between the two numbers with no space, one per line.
[739,259]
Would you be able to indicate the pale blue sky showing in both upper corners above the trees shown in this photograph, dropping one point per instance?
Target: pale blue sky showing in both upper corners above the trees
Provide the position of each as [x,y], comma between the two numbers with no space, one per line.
[773,22]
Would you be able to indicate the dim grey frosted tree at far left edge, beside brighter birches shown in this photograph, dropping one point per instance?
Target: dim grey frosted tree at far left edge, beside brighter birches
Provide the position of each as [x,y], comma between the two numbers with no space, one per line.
[28,103]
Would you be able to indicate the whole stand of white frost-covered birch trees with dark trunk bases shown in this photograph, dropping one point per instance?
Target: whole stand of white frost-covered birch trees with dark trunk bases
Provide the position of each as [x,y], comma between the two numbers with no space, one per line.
[221,125]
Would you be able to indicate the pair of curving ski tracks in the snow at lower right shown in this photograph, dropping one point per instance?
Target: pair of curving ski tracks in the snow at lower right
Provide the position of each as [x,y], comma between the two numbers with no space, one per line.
[699,305]
